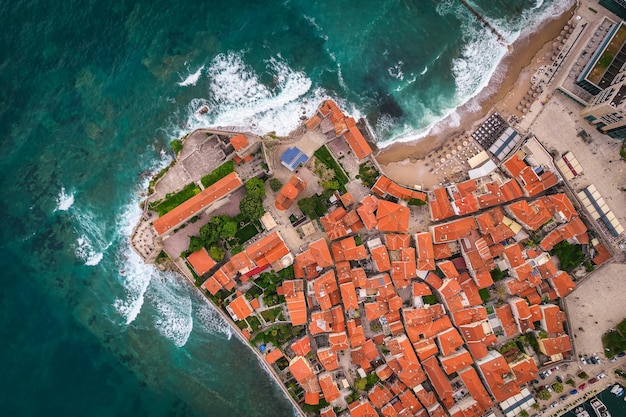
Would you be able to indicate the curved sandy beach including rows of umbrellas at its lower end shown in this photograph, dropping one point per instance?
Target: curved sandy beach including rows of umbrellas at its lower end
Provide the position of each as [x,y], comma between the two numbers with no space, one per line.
[412,163]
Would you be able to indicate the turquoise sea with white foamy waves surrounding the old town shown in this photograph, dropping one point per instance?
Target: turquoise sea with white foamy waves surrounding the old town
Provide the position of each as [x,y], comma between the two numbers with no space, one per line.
[91,94]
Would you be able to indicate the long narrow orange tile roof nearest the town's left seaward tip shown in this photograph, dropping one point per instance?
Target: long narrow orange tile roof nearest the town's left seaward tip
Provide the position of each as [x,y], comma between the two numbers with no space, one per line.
[172,219]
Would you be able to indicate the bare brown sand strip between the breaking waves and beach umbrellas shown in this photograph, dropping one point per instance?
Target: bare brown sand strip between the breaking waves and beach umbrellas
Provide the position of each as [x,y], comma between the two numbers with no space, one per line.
[511,78]
